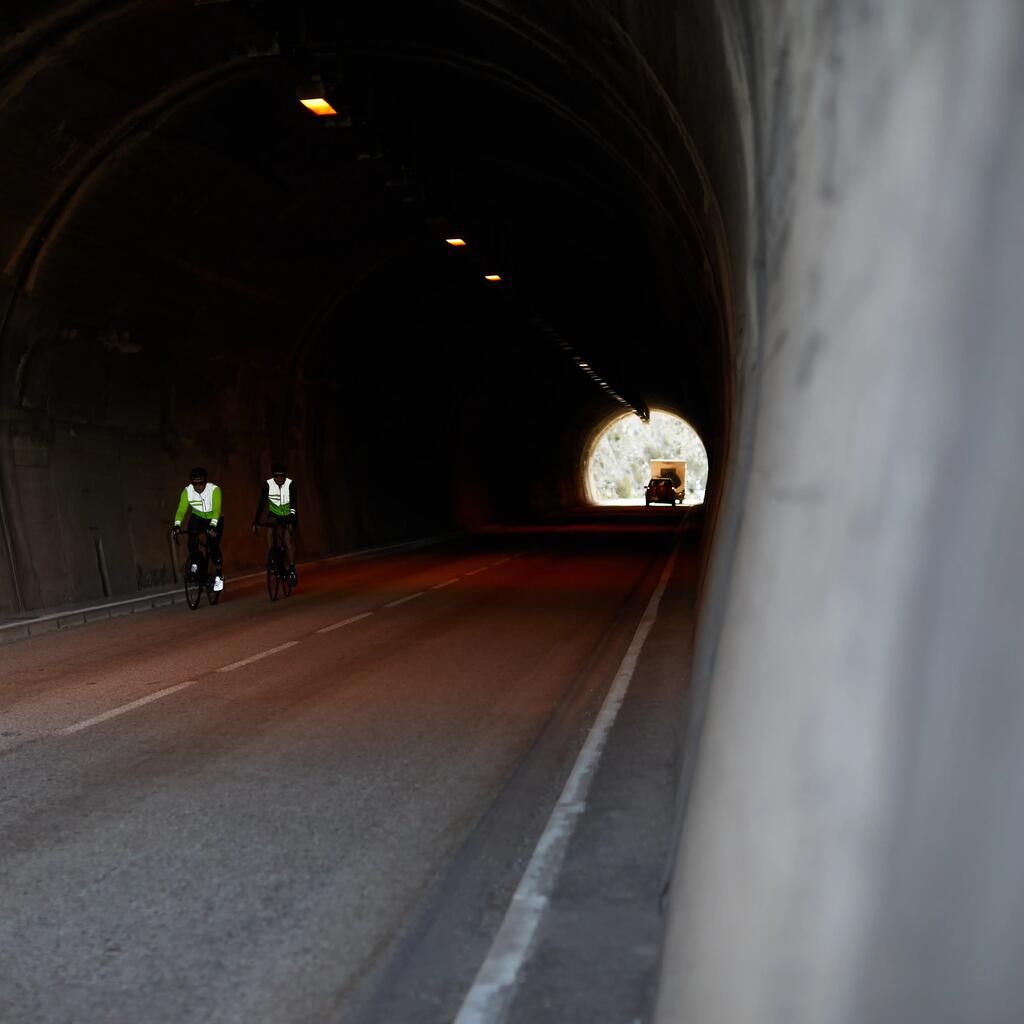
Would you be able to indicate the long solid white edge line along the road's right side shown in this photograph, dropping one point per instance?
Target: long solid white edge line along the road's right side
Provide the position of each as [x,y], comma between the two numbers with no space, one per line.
[491,995]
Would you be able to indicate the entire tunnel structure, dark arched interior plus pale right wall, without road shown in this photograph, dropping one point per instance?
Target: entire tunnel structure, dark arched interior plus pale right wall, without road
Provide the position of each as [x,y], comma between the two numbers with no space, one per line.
[798,227]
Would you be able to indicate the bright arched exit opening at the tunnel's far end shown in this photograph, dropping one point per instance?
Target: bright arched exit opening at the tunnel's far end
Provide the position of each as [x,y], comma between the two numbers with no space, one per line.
[628,452]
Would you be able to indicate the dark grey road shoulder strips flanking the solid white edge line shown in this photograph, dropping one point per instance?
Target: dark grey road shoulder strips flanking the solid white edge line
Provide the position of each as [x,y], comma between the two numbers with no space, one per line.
[595,954]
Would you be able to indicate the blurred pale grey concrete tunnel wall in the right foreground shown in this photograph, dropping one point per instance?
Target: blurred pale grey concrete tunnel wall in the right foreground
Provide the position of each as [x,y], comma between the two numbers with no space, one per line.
[851,845]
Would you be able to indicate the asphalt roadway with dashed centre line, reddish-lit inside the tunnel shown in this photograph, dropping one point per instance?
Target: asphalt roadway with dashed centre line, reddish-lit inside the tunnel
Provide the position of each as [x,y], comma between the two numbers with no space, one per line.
[235,815]
